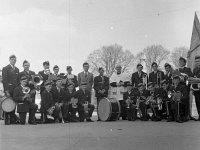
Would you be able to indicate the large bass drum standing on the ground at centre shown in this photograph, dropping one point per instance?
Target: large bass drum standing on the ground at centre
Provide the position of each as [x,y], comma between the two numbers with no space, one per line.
[109,109]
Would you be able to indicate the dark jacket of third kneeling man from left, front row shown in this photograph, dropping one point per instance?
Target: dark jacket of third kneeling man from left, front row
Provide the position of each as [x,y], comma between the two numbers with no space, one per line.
[59,97]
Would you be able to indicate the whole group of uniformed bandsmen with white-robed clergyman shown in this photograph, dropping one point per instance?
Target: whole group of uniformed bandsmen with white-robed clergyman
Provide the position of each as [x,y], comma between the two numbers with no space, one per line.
[153,97]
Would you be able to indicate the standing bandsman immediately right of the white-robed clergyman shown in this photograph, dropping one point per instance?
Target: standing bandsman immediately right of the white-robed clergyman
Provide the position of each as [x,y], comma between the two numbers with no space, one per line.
[138,76]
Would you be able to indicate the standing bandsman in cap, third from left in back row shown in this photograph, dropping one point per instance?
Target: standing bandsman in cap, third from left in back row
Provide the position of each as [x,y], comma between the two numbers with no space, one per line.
[45,74]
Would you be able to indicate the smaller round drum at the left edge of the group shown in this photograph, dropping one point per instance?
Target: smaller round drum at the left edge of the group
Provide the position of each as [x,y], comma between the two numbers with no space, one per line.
[8,104]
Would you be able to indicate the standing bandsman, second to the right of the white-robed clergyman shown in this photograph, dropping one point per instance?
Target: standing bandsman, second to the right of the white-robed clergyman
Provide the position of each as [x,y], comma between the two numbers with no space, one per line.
[156,75]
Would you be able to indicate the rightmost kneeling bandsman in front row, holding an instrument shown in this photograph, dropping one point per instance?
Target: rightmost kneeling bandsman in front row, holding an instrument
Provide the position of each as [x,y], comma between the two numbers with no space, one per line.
[179,97]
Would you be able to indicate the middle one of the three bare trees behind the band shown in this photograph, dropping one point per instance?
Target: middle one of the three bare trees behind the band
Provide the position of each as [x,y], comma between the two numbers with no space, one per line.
[155,53]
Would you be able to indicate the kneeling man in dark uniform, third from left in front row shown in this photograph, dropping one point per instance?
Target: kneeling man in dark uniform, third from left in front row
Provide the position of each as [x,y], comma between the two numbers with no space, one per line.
[61,100]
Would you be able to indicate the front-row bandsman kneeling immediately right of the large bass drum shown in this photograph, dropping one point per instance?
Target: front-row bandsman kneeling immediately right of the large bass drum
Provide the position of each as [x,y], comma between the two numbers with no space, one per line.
[128,103]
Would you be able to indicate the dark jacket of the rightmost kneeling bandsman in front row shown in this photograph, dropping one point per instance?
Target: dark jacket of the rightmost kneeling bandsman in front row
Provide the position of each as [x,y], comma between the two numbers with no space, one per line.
[183,89]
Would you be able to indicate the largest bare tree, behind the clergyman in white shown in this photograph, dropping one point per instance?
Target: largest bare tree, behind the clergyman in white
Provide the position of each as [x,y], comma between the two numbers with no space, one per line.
[108,57]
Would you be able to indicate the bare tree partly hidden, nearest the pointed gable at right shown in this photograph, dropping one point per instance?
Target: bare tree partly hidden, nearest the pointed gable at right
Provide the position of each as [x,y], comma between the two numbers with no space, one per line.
[177,53]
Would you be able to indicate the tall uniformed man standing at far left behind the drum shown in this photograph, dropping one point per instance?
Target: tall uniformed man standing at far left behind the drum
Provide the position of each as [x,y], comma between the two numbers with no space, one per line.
[10,75]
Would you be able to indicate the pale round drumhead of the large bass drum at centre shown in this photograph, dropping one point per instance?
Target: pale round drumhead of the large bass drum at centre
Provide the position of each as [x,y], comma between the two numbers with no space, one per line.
[104,109]
